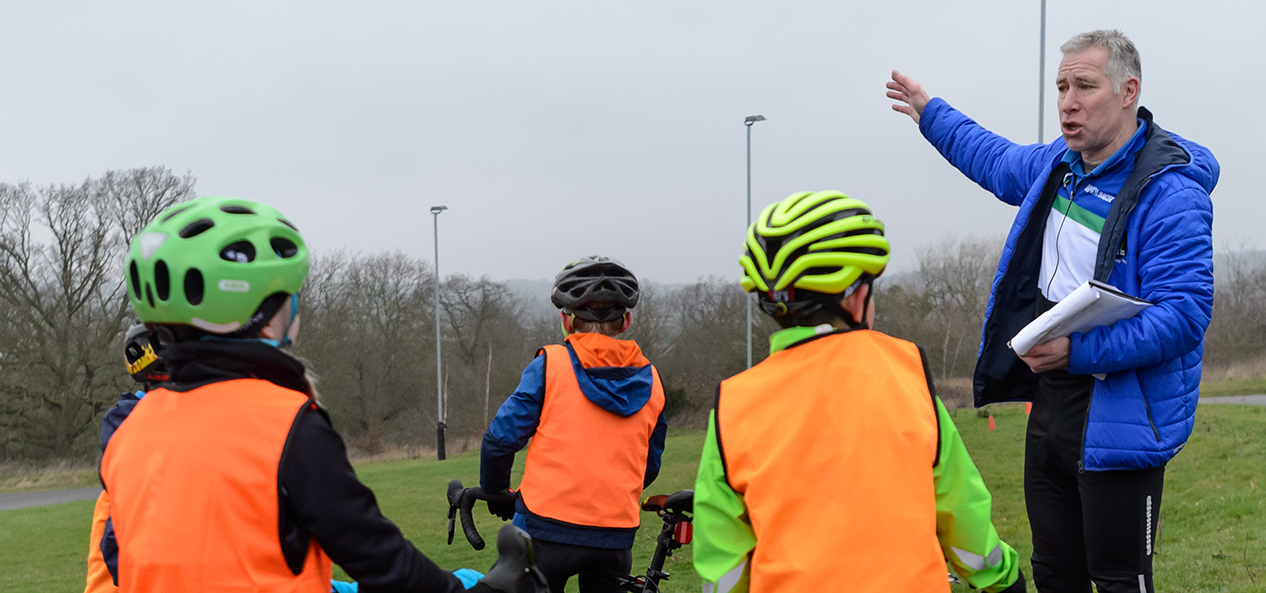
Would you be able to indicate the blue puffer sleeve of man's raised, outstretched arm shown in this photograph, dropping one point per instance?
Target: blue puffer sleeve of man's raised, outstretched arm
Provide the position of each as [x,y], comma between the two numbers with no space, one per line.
[998,165]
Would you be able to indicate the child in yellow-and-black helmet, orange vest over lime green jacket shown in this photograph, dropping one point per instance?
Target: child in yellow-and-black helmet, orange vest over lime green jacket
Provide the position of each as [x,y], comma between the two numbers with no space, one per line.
[832,466]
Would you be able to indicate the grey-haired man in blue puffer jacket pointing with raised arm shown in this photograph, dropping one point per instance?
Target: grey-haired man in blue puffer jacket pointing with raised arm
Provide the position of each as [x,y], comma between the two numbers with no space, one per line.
[1120,201]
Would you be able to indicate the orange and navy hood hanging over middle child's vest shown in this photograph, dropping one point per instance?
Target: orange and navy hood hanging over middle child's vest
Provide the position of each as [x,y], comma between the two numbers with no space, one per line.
[612,373]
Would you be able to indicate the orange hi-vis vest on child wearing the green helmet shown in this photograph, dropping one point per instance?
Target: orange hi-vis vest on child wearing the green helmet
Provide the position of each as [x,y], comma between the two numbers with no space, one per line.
[193,482]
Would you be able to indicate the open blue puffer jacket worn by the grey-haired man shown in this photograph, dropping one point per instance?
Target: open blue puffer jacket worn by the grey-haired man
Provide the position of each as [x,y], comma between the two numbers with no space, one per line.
[1156,244]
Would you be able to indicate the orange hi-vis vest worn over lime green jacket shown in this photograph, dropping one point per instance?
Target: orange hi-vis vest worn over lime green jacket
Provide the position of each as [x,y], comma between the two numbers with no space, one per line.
[832,445]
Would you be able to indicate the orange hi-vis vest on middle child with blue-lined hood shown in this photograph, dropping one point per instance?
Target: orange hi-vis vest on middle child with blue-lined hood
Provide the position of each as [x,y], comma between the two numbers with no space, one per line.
[587,466]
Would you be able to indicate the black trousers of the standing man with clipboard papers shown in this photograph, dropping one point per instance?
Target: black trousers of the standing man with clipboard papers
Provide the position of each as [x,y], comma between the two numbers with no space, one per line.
[1087,526]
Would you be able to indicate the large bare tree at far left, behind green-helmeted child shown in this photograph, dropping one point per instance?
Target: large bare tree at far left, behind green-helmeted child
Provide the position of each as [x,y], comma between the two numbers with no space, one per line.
[63,291]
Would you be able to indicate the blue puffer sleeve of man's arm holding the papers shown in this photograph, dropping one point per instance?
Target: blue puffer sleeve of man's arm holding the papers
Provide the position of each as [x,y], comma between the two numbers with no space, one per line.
[1175,265]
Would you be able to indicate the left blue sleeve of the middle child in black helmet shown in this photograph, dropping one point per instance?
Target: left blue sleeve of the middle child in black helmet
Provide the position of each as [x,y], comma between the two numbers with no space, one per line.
[516,423]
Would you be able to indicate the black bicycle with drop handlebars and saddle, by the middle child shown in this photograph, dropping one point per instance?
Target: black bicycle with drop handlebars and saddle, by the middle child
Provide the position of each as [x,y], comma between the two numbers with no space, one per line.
[677,510]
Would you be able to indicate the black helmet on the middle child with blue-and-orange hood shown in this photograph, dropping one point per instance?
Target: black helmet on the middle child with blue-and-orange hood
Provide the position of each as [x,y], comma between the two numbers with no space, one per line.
[596,288]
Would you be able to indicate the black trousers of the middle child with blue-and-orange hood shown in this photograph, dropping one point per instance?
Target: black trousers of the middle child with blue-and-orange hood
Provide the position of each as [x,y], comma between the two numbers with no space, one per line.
[598,568]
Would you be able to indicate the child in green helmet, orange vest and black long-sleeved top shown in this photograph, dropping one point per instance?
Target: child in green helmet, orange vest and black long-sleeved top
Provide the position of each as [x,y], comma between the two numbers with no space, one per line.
[230,477]
